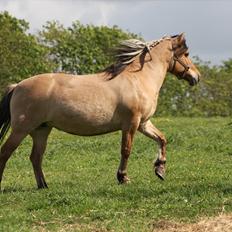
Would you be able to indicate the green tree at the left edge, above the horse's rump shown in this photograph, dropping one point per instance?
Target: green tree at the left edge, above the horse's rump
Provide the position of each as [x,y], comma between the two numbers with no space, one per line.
[21,55]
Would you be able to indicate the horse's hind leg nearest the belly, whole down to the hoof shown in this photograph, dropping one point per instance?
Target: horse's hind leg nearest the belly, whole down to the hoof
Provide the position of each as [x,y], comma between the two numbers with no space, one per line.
[39,137]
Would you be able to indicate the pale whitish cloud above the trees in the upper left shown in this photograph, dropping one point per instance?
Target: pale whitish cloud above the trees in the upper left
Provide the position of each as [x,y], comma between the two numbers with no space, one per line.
[37,12]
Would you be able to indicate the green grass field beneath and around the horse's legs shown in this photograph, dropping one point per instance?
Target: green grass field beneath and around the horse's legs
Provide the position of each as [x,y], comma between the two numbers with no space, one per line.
[83,193]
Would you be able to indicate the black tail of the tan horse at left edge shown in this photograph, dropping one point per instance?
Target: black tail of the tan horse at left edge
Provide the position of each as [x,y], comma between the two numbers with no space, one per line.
[5,112]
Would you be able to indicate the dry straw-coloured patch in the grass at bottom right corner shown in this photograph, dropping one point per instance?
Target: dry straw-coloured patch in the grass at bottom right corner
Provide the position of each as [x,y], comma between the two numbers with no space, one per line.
[222,223]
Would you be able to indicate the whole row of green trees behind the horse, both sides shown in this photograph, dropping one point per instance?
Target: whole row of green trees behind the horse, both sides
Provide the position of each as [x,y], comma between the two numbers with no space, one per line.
[82,49]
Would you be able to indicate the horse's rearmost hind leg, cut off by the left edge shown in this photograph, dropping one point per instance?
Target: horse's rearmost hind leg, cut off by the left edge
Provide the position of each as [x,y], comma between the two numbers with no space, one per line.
[8,148]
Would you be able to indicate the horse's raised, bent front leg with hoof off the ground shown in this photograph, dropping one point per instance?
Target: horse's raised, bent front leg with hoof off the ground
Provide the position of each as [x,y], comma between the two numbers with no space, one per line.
[152,132]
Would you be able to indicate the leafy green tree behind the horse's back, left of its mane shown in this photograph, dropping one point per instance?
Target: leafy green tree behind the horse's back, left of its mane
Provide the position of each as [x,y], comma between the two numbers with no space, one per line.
[81,49]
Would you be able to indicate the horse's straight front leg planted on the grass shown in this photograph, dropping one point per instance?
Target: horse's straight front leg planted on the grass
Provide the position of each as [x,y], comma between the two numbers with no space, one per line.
[126,144]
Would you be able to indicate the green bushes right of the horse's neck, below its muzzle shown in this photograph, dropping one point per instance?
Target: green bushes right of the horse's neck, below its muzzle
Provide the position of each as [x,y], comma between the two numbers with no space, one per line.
[211,97]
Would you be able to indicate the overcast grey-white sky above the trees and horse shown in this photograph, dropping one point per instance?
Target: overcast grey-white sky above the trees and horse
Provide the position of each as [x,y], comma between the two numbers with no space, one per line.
[207,23]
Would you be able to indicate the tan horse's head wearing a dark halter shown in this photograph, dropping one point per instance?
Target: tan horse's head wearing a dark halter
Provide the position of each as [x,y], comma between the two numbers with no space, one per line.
[180,64]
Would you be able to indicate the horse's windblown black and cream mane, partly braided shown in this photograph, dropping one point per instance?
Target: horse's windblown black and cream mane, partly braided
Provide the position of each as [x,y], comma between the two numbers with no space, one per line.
[127,52]
